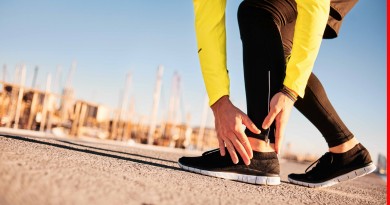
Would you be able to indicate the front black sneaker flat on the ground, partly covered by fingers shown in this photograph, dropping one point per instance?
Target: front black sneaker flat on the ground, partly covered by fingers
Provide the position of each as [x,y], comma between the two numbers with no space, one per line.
[264,167]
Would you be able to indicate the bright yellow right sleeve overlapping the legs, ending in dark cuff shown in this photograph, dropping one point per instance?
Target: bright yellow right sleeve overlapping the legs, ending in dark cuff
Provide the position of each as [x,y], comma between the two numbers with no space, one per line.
[309,29]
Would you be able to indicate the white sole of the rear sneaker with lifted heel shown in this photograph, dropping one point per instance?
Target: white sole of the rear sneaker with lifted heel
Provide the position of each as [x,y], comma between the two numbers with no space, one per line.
[348,176]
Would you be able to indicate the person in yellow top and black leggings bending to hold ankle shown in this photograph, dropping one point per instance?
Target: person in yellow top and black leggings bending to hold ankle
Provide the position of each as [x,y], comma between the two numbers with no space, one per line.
[281,40]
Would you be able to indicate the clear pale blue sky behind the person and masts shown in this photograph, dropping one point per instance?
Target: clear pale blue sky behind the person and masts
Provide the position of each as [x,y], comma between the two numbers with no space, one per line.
[109,39]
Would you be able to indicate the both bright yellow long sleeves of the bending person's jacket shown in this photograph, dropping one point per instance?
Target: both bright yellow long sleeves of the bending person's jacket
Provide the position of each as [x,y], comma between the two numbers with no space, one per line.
[211,37]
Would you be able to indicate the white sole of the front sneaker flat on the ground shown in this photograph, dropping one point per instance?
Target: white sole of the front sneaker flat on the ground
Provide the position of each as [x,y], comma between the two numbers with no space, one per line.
[264,180]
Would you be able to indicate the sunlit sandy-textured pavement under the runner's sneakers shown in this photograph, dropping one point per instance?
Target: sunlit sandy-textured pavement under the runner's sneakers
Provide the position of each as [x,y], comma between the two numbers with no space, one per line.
[54,171]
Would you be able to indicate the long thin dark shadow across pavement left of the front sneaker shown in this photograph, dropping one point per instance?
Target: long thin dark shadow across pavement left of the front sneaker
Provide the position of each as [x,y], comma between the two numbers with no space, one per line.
[94,152]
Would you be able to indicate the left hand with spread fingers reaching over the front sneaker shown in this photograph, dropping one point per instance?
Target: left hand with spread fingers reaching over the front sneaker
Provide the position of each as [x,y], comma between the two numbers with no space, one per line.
[228,124]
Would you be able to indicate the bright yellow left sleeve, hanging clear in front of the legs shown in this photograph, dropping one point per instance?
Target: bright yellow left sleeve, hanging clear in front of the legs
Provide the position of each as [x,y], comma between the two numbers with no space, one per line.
[211,37]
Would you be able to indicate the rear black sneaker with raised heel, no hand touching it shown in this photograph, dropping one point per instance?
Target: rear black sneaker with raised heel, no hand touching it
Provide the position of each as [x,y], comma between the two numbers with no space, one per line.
[333,168]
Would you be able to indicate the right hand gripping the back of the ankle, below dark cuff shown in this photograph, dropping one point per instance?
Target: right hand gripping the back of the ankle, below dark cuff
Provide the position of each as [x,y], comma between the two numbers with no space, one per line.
[280,109]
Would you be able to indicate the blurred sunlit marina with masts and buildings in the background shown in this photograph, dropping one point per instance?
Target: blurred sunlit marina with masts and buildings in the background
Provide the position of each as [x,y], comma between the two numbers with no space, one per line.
[61,114]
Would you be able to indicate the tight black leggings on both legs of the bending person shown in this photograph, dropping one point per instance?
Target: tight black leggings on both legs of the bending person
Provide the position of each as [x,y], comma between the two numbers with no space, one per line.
[267,29]
